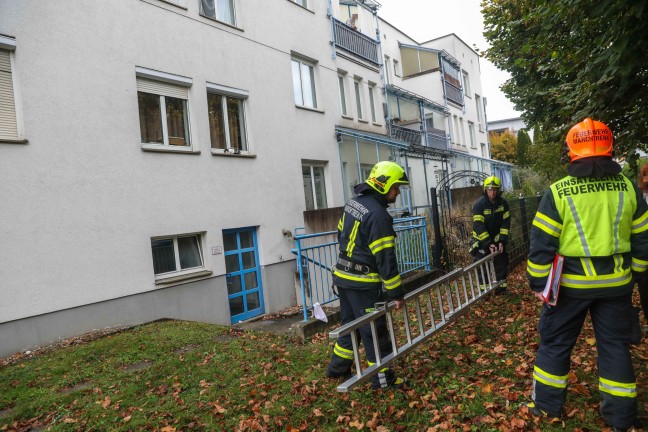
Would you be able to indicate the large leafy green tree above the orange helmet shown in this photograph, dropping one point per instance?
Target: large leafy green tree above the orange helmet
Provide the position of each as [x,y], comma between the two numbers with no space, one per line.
[572,59]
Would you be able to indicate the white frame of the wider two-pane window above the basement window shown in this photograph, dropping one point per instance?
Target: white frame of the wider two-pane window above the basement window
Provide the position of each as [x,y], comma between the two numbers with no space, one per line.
[178,81]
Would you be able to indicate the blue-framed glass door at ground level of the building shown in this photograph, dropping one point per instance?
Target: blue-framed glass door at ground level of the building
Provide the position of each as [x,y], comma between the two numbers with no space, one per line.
[244,288]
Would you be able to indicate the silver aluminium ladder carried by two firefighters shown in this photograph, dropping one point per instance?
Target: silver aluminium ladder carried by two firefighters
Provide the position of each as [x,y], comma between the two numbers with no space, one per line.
[427,310]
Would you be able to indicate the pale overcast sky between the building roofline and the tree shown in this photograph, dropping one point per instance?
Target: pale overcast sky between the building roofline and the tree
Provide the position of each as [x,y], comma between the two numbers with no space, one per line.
[428,19]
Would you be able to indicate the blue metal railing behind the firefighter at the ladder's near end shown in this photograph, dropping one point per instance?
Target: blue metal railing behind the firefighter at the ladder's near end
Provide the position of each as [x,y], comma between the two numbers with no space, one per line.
[317,253]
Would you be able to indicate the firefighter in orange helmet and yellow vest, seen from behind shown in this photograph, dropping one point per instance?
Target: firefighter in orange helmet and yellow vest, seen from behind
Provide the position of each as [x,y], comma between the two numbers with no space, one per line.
[598,221]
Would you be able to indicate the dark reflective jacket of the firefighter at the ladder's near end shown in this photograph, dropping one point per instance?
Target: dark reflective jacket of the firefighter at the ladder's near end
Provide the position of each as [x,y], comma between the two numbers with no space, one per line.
[366,237]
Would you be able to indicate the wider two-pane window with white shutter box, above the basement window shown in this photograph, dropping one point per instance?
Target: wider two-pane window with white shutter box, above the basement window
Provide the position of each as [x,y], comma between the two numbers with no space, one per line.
[163,111]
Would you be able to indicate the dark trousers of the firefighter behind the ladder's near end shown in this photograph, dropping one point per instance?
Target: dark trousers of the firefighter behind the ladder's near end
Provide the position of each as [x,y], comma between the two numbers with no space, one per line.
[354,304]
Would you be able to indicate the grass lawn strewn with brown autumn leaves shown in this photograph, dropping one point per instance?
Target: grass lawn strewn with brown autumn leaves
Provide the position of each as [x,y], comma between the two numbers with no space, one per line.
[184,376]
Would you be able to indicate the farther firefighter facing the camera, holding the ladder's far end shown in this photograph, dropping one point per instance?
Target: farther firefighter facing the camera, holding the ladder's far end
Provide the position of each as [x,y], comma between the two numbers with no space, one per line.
[491,223]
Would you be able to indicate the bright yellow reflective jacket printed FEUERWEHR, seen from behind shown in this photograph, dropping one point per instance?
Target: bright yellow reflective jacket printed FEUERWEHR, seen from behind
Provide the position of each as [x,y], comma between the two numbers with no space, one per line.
[600,226]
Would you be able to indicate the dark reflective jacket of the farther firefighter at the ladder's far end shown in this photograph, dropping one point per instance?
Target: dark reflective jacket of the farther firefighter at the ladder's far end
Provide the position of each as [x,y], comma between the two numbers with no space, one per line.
[491,223]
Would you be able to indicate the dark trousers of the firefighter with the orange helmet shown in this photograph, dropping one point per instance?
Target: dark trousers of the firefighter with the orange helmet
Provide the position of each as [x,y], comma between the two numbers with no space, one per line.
[559,327]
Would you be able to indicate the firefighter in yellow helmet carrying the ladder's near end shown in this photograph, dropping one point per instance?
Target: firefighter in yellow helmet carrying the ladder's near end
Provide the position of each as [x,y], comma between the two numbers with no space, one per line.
[367,264]
